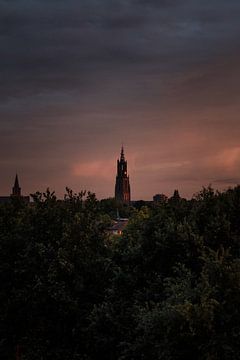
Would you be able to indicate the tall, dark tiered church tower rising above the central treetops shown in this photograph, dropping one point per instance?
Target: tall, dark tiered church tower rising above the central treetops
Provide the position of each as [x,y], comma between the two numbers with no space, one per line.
[122,187]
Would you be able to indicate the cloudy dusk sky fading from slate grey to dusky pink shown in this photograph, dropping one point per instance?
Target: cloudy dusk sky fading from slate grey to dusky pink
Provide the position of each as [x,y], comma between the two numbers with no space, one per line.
[79,78]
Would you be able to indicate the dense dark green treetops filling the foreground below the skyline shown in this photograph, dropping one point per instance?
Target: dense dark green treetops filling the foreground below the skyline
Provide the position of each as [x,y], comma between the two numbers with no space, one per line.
[168,289]
